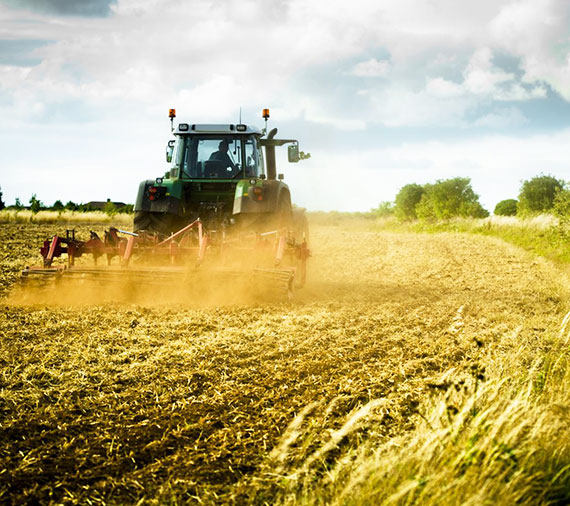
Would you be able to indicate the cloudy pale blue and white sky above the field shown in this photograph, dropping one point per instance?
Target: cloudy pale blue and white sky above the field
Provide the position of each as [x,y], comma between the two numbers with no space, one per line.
[382,93]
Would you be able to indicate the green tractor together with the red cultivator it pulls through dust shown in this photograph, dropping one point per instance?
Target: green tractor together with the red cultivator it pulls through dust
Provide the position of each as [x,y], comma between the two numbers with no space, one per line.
[221,213]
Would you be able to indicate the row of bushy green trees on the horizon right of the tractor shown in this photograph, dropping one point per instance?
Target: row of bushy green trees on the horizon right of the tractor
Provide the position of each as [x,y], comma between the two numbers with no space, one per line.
[450,198]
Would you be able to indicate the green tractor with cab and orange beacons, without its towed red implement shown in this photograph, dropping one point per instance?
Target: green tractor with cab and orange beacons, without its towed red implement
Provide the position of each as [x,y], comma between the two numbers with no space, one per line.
[220,174]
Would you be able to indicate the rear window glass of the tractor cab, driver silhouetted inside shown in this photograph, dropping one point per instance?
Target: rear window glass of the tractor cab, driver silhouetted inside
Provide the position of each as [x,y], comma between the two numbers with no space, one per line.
[215,157]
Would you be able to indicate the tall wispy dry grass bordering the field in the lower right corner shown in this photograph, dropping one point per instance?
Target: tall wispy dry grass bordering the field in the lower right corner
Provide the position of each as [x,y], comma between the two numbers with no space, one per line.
[495,437]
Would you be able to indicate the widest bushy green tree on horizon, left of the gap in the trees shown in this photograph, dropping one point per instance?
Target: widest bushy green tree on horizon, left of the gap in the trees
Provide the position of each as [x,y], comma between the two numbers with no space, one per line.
[449,198]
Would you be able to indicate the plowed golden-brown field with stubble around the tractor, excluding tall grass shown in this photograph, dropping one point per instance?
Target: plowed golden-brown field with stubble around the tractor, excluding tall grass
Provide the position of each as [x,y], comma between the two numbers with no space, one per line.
[121,403]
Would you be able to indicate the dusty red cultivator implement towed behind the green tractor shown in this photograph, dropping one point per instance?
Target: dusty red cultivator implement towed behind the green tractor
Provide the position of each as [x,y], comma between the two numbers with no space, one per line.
[191,259]
